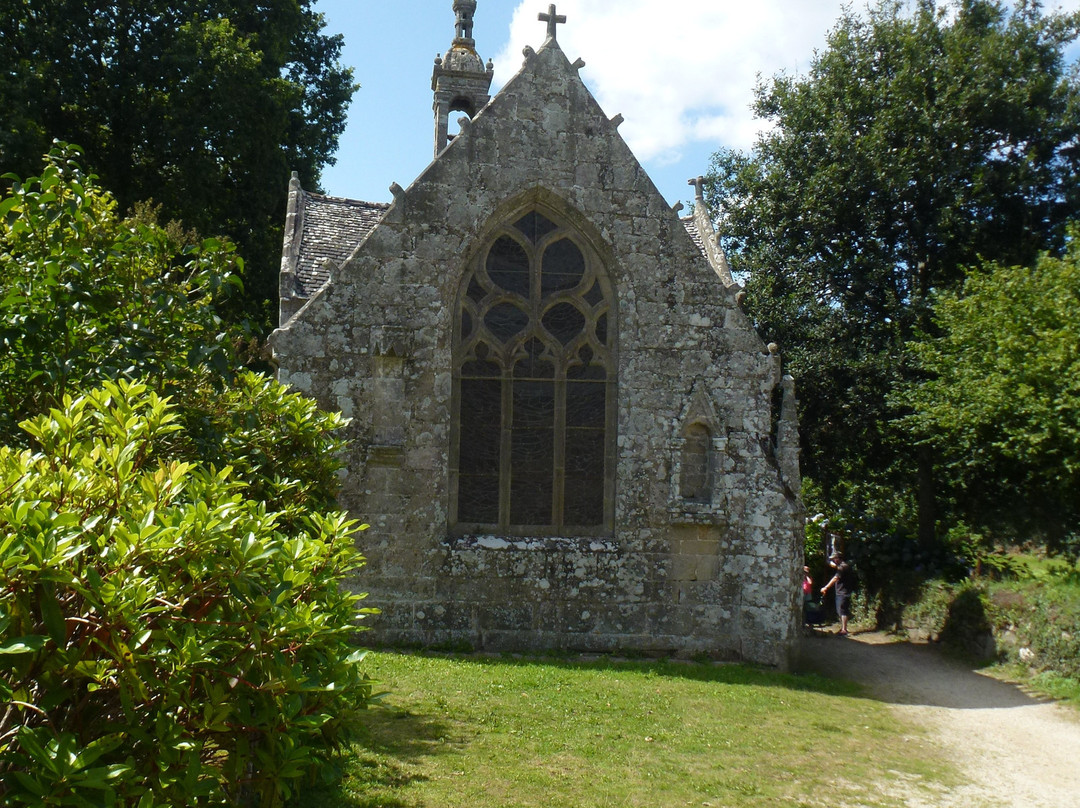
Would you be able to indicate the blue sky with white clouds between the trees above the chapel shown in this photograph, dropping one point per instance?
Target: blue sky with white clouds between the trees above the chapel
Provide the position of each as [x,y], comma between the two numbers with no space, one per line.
[681,74]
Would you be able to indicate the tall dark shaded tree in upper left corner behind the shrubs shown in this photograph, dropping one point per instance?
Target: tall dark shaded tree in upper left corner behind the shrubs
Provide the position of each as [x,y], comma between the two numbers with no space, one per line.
[204,107]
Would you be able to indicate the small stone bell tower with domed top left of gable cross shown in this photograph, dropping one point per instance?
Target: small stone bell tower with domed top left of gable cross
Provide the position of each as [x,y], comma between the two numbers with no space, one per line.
[462,83]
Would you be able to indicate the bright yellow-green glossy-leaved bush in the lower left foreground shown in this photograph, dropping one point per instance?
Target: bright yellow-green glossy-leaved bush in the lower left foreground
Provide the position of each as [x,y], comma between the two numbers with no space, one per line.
[166,640]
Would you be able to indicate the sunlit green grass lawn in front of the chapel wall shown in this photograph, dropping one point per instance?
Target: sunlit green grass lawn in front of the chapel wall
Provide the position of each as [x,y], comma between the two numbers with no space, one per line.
[495,733]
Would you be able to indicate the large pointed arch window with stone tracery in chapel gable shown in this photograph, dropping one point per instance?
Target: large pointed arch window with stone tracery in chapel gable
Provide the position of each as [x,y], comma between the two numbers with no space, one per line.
[533,441]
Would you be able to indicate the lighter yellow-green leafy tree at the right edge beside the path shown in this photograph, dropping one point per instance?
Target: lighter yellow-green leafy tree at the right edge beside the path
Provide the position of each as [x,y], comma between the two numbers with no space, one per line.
[1003,399]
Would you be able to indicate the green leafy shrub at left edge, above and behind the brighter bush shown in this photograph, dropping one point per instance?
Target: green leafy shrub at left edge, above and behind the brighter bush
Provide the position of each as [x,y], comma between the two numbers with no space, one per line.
[87,297]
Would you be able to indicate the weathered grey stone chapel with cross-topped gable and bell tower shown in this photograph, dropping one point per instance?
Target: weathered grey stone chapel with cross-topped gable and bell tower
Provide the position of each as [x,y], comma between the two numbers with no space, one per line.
[565,433]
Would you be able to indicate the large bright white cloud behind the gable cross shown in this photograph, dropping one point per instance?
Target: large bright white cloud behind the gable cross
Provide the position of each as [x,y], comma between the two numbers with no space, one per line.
[682,74]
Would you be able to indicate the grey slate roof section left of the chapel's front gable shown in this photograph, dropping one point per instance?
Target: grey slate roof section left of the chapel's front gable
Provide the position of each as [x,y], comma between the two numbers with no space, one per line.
[332,230]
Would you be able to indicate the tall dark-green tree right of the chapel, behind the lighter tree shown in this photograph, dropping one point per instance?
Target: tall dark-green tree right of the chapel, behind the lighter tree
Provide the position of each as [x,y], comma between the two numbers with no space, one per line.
[920,141]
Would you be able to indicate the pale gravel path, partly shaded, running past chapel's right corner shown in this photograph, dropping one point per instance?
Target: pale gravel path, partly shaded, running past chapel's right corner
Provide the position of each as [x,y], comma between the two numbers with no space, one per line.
[1015,749]
